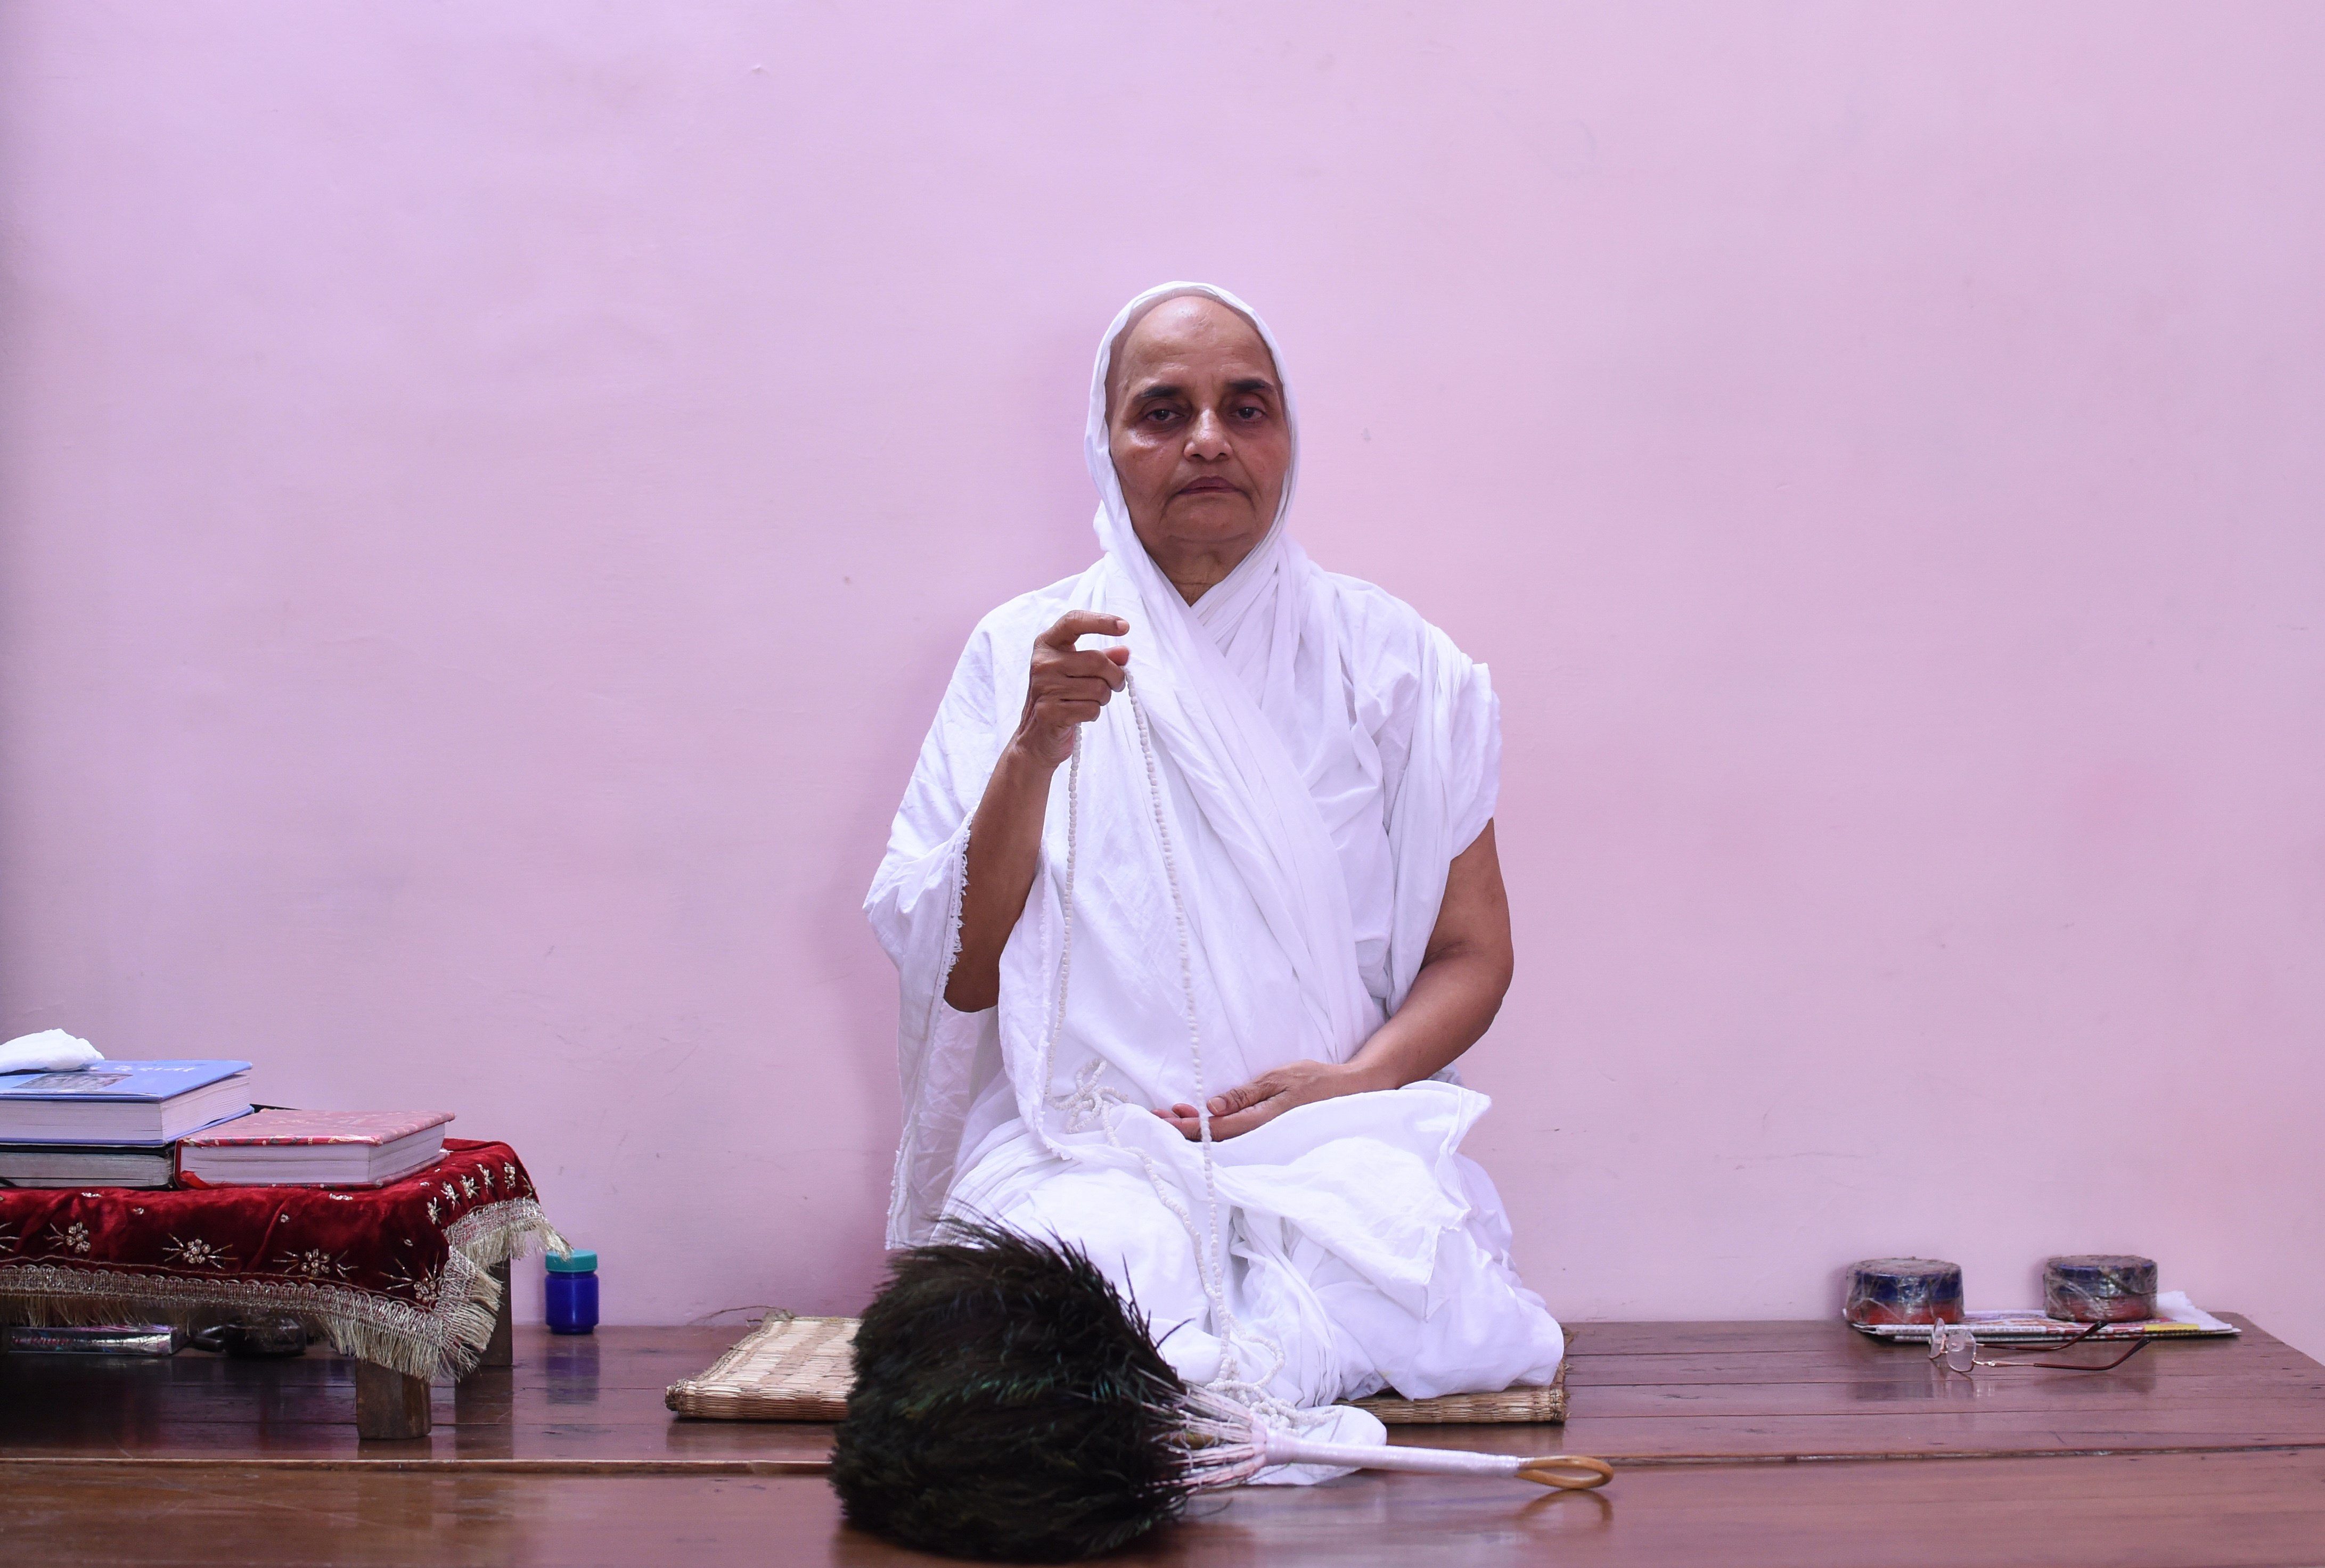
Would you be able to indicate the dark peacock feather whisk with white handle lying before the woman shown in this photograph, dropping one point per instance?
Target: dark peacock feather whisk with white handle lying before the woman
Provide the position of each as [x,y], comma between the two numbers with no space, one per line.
[1013,1407]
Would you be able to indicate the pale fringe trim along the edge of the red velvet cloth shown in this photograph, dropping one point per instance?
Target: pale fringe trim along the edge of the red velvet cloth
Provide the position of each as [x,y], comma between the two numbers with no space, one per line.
[441,1344]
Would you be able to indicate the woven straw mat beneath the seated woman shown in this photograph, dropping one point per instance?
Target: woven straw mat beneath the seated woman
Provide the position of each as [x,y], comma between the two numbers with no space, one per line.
[796,1369]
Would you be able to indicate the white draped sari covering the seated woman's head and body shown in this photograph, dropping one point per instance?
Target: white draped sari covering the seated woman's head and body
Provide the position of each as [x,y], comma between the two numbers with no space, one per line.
[1322,754]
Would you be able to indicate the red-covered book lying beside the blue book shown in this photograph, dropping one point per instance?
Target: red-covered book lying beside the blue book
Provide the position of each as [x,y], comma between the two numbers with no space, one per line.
[313,1149]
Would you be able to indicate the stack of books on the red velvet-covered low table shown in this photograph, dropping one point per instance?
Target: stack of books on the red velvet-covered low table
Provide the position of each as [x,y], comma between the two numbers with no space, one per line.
[192,1123]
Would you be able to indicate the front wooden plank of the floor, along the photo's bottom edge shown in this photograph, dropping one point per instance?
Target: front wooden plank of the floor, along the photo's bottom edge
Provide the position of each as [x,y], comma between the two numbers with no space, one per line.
[2233,1511]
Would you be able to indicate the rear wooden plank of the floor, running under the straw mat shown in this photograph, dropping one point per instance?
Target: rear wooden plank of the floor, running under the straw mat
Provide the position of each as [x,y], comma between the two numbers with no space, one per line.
[1819,1390]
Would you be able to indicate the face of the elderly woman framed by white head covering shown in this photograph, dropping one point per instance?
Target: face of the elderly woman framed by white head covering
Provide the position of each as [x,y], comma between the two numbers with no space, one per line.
[1199,431]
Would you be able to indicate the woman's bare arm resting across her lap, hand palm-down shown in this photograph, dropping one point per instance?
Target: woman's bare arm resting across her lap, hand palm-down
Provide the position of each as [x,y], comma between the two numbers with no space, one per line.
[1461,986]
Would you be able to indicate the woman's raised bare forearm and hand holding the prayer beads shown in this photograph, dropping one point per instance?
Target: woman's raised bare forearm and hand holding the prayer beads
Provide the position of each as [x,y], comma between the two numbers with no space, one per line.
[1066,691]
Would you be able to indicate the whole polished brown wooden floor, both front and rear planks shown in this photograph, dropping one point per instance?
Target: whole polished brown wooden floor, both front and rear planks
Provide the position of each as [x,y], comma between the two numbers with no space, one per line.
[1738,1444]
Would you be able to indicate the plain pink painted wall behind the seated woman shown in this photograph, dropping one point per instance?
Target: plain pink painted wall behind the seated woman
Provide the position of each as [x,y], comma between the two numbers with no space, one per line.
[492,496]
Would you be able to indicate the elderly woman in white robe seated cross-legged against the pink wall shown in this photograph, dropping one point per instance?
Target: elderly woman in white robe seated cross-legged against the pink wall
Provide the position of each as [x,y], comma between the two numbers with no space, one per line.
[1194,926]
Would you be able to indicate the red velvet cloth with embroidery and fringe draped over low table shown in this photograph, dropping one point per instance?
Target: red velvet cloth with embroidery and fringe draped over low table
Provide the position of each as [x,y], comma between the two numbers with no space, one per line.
[399,1260]
